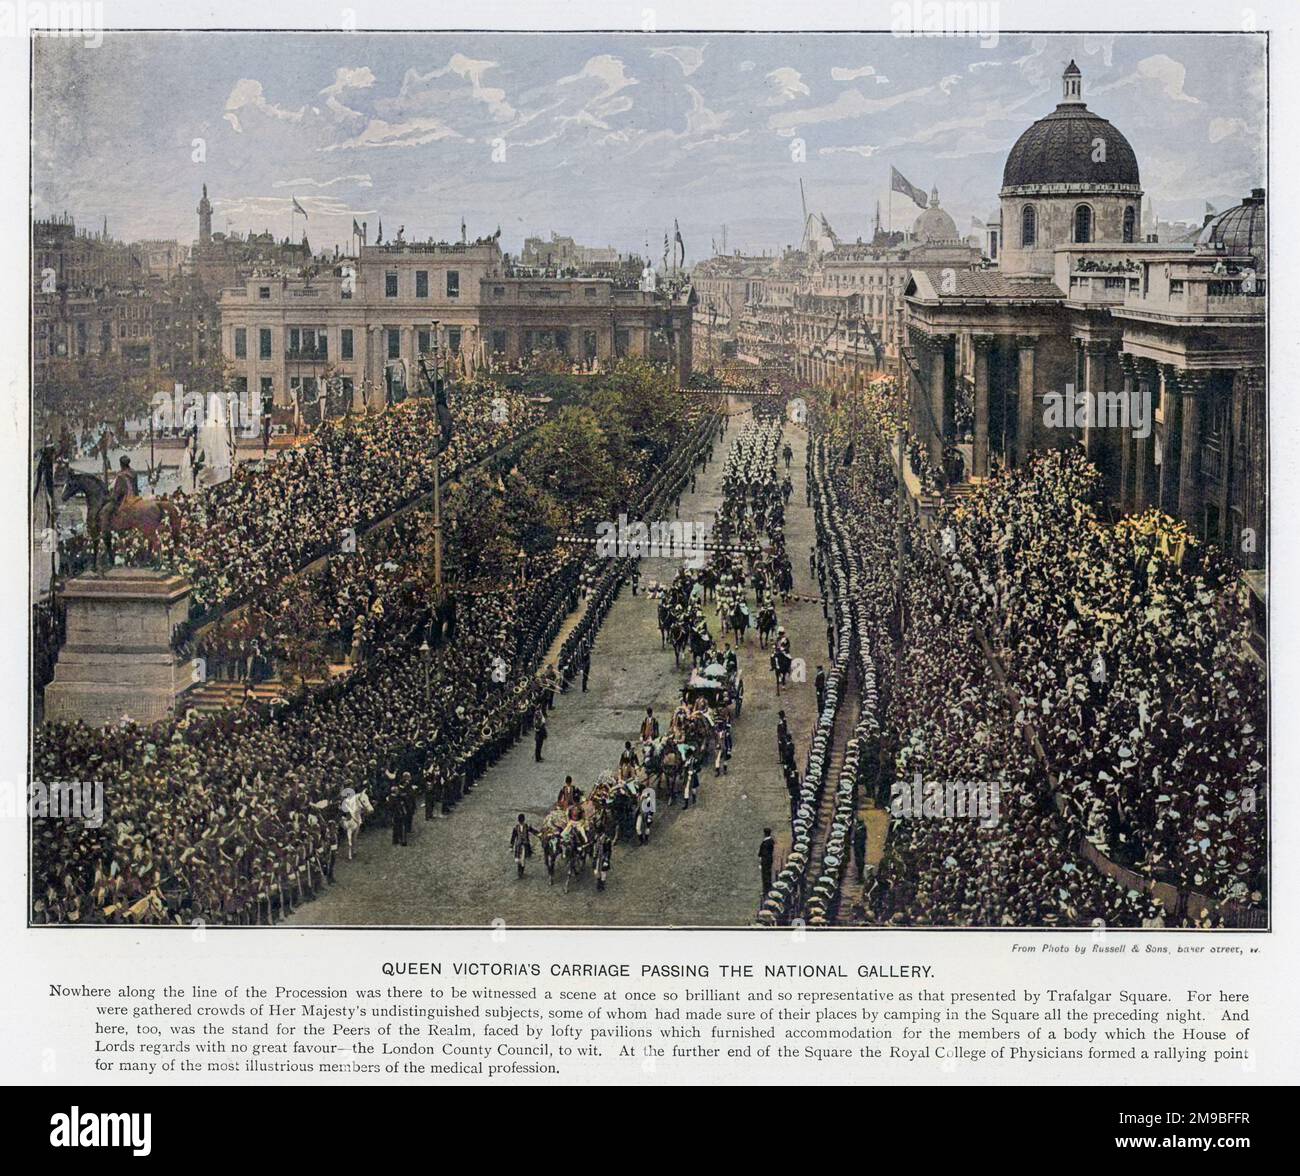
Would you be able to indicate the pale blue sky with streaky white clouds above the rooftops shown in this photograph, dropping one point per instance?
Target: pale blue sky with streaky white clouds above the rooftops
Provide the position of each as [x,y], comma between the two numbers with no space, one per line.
[609,137]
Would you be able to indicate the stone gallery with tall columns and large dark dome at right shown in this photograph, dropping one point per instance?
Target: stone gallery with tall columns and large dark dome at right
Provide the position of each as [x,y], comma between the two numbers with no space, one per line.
[1150,355]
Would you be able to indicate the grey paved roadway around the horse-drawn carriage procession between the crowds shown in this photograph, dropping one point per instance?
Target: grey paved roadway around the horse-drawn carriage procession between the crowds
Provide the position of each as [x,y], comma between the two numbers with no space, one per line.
[700,869]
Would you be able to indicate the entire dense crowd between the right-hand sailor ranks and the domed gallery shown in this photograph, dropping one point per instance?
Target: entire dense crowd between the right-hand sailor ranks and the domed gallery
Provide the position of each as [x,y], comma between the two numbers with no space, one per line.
[1130,717]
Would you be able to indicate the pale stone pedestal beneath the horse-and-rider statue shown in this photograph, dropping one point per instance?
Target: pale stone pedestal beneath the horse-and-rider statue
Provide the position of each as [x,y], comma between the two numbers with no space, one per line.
[118,659]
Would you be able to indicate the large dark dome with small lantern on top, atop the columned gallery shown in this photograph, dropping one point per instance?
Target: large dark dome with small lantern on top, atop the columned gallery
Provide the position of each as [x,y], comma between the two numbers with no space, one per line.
[1060,147]
